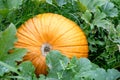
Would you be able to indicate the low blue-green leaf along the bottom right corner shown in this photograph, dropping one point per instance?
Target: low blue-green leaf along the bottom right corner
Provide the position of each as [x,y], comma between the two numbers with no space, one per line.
[99,74]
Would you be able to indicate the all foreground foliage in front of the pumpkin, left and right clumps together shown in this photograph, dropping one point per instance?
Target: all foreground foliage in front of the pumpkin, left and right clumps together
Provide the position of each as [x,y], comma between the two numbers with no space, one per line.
[59,66]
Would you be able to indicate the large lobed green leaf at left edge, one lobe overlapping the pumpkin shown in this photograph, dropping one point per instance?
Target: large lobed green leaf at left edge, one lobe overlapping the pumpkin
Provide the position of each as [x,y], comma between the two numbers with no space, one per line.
[7,39]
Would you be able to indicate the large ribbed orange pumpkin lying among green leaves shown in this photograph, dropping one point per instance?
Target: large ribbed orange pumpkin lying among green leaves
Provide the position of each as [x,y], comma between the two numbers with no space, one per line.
[50,31]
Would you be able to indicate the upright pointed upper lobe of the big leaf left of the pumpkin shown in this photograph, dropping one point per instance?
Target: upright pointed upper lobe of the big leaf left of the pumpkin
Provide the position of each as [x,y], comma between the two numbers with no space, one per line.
[7,40]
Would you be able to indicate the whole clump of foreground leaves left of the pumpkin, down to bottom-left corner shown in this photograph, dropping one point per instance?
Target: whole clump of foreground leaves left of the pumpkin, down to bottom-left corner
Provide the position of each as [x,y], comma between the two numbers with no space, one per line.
[10,56]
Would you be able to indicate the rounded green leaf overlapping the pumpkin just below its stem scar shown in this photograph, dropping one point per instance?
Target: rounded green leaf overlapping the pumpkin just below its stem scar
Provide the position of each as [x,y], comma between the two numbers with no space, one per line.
[58,63]
